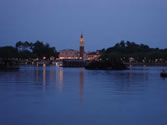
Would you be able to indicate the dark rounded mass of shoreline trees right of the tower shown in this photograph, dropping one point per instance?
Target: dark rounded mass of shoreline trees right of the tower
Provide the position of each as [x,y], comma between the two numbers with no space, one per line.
[139,52]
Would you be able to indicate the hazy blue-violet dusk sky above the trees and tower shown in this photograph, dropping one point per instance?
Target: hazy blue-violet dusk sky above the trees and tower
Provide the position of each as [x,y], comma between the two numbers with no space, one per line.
[103,22]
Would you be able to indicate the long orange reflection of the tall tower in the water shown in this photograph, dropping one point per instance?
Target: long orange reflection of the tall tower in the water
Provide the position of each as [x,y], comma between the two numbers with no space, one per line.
[81,84]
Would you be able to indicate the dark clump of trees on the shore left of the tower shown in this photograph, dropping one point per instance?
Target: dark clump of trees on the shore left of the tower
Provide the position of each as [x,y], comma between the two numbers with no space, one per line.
[26,50]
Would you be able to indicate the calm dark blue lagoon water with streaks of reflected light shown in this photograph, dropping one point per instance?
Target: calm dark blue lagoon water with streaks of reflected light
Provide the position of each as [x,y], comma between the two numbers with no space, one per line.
[50,95]
